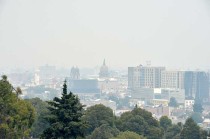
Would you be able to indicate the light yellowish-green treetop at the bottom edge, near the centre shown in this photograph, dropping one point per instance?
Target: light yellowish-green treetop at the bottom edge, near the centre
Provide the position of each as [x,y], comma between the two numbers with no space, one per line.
[128,135]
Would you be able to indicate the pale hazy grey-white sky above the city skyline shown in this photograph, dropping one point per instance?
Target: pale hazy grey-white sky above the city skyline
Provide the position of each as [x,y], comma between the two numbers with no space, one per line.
[174,33]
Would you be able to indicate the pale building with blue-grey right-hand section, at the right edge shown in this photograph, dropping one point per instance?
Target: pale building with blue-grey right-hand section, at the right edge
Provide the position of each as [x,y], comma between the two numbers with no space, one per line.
[194,83]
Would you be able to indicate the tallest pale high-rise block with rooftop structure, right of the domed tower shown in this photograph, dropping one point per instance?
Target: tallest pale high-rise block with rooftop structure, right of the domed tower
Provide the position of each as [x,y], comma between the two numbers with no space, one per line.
[144,77]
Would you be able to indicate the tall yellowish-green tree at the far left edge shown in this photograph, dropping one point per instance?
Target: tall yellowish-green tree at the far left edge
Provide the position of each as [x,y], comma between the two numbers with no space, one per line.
[16,115]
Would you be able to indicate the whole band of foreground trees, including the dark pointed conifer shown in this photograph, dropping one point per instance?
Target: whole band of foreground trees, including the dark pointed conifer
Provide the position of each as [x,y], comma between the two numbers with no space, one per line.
[66,118]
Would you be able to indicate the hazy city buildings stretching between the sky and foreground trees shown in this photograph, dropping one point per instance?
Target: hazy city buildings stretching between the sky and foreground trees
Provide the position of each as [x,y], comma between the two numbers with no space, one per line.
[149,87]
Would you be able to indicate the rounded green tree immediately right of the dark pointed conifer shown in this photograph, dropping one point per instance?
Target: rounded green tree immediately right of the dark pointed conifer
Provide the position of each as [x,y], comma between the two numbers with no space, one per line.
[98,115]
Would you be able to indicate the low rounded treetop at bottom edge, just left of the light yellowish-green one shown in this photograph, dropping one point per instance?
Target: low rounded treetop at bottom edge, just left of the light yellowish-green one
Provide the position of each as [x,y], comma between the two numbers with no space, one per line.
[104,132]
